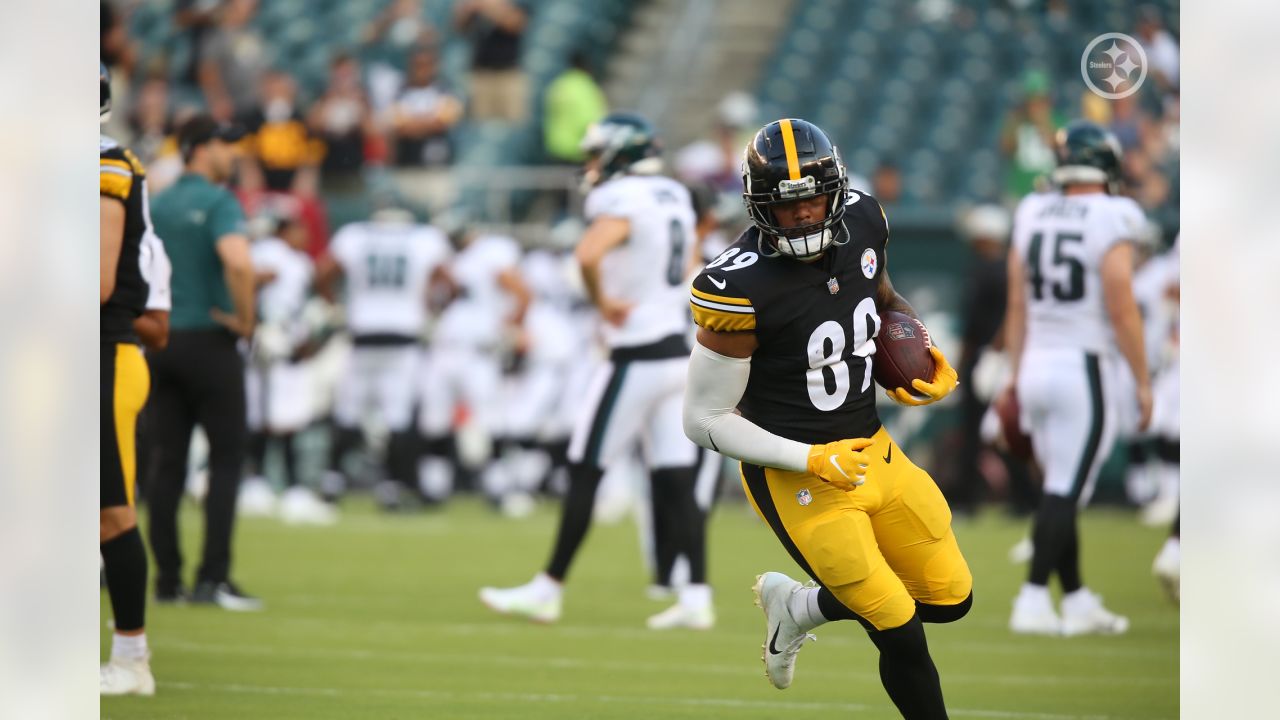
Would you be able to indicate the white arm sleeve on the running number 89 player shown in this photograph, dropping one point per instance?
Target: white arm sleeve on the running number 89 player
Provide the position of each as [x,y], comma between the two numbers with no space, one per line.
[716,386]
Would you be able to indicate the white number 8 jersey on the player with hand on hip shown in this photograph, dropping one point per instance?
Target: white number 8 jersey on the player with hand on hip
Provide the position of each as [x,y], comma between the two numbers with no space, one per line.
[648,271]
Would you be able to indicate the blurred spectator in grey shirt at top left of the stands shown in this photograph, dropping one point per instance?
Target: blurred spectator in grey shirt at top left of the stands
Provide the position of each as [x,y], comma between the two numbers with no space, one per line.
[232,62]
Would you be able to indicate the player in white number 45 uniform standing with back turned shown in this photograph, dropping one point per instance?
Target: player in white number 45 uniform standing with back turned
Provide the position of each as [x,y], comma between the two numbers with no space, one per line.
[1073,326]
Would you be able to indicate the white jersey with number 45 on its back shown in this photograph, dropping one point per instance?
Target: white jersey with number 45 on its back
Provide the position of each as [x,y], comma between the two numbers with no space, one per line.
[1062,241]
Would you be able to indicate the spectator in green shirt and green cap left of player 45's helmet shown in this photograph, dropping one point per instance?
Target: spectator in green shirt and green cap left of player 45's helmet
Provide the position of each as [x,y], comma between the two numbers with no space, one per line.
[1027,138]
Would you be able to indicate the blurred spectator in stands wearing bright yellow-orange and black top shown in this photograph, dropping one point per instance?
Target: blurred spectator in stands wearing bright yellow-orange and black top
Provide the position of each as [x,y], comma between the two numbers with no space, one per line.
[282,157]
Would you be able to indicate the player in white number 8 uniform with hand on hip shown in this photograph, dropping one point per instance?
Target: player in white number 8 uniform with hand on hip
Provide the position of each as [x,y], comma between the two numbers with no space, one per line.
[634,258]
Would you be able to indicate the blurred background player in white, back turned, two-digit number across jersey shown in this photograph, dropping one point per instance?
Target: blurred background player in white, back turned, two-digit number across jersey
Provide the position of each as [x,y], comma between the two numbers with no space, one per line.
[388,265]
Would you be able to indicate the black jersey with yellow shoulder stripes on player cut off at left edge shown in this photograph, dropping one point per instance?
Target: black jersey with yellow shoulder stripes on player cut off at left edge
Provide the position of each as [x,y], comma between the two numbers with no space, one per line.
[122,177]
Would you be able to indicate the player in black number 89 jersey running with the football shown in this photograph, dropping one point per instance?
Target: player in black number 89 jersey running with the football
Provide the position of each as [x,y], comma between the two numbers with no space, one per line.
[781,380]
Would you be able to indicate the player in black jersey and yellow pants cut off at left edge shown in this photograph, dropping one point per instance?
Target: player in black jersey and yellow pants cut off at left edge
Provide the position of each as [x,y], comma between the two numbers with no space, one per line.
[124,220]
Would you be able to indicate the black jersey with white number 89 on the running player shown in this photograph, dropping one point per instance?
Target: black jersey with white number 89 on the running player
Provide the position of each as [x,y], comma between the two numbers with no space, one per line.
[816,322]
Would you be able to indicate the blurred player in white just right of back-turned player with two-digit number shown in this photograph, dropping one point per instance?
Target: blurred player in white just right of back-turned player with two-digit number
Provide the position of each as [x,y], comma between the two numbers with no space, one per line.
[465,363]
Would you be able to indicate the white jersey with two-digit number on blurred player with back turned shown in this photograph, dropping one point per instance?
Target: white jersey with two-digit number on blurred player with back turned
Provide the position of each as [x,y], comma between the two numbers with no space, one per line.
[387,268]
